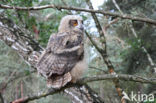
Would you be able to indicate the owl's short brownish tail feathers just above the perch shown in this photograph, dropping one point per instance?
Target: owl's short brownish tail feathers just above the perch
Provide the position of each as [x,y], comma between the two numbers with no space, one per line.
[59,81]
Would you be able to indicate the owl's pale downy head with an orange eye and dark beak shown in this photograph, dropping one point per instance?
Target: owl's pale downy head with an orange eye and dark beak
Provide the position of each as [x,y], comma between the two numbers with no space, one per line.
[71,23]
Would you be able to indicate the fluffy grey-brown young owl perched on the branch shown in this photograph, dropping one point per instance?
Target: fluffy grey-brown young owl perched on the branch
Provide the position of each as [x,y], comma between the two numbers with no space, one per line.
[63,60]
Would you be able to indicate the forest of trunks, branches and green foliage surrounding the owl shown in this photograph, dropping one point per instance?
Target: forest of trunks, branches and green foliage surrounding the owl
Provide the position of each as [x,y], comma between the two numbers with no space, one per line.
[120,38]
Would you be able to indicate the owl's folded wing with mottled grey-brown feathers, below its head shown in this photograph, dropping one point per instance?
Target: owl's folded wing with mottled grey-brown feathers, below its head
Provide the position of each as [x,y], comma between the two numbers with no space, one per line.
[60,56]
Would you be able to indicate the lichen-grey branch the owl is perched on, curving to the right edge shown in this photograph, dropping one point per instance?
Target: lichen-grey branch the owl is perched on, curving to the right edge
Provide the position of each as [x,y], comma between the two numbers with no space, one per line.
[82,81]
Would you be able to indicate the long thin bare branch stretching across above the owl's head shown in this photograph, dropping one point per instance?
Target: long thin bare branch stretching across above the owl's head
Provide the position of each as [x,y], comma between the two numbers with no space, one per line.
[125,16]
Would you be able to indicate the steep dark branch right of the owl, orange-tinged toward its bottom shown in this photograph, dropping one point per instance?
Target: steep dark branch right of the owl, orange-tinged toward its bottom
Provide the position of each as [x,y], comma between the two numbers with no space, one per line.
[104,55]
